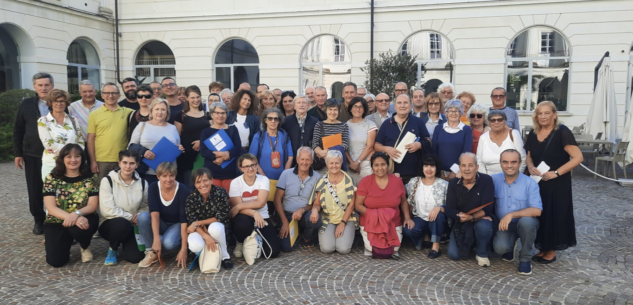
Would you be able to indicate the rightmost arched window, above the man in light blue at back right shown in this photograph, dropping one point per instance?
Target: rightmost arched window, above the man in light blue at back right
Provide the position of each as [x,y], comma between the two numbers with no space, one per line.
[537,62]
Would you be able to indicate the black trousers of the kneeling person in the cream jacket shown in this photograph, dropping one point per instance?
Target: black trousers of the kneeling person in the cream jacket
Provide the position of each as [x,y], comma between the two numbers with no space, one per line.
[120,232]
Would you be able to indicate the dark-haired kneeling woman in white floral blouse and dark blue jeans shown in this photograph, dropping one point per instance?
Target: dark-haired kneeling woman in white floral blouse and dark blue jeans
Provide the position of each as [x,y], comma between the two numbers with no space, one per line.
[427,195]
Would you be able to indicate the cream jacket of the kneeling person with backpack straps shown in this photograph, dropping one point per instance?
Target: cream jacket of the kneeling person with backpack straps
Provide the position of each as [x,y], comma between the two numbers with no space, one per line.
[121,199]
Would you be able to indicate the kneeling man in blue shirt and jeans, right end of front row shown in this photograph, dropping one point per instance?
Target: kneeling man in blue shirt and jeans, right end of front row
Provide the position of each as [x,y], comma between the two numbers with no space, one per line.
[518,203]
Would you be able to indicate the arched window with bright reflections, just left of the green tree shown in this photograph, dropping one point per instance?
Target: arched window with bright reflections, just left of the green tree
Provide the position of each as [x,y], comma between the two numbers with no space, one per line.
[326,61]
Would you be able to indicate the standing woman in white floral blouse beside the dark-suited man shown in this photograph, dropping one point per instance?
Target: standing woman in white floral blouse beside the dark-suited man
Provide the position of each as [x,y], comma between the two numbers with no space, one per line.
[57,129]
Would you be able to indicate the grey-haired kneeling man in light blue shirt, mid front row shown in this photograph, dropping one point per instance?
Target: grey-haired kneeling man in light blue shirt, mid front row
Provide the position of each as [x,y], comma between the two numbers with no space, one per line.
[291,200]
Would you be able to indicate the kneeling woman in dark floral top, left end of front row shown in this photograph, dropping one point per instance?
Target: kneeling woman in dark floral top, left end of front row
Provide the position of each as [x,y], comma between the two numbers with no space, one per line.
[71,196]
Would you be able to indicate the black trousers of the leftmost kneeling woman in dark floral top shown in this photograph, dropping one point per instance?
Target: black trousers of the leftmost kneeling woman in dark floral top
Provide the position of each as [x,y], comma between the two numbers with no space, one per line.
[59,240]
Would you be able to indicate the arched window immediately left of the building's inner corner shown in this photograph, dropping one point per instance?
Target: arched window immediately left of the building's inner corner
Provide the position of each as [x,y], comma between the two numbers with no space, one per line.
[83,63]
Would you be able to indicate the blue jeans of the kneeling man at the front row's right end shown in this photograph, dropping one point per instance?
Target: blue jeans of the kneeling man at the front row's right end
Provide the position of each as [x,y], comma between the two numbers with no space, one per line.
[523,228]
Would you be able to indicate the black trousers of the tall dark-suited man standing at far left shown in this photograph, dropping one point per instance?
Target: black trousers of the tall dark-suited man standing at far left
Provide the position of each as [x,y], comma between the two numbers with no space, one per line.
[34,186]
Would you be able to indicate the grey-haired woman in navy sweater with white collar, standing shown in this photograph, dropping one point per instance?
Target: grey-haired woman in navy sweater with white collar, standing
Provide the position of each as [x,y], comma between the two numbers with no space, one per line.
[452,138]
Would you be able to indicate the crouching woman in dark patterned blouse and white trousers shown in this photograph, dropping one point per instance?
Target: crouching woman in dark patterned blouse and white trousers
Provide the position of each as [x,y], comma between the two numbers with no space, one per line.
[207,210]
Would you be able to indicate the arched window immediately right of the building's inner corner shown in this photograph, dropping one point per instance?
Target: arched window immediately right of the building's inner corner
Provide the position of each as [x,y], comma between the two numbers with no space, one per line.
[154,61]
